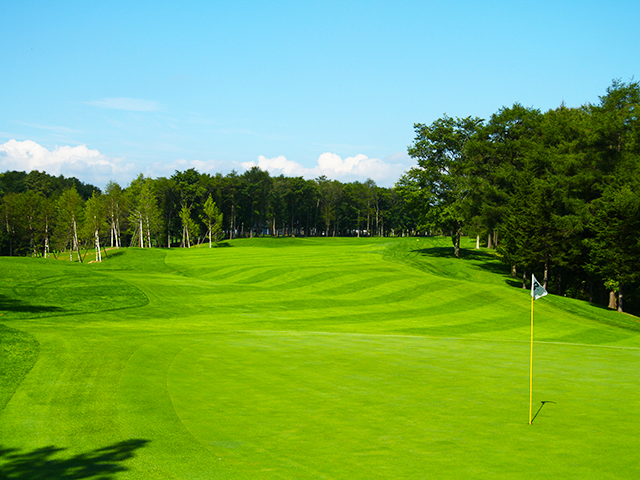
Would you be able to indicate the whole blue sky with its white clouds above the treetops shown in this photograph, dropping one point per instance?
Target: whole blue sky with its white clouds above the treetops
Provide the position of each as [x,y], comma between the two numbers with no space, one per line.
[107,90]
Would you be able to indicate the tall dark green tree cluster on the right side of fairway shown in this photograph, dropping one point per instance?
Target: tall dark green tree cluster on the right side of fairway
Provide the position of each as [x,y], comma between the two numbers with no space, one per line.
[557,193]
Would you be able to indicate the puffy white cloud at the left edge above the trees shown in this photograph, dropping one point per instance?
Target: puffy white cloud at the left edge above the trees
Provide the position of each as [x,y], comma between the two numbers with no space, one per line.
[86,164]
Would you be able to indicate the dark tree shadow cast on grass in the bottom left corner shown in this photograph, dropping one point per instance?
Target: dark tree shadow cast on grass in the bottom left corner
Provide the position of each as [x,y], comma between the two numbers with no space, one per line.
[50,463]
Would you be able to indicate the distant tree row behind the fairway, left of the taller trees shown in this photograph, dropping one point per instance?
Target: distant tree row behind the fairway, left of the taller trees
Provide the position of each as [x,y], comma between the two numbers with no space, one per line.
[45,215]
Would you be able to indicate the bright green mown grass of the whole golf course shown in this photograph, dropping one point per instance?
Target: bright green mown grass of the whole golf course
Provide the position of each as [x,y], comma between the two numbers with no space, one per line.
[308,358]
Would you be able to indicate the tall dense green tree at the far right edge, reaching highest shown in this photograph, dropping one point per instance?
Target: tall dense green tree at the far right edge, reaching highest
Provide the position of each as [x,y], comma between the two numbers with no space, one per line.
[614,249]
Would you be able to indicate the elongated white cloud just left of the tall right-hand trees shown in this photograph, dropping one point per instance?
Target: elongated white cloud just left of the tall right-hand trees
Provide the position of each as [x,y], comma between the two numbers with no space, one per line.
[358,168]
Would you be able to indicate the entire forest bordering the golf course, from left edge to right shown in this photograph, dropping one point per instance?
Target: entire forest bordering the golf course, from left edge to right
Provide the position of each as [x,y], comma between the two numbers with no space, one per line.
[555,193]
